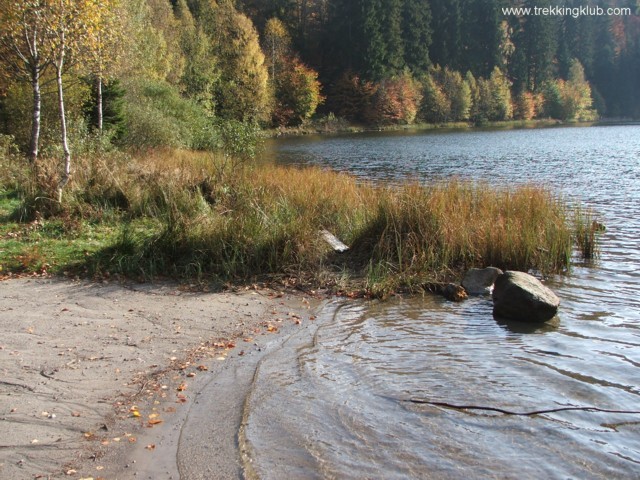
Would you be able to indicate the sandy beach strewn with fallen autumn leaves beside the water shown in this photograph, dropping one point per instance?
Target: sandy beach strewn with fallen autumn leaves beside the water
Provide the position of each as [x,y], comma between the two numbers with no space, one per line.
[99,378]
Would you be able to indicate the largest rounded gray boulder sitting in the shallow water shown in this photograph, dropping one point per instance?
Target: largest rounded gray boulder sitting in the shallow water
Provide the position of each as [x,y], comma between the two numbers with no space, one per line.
[520,296]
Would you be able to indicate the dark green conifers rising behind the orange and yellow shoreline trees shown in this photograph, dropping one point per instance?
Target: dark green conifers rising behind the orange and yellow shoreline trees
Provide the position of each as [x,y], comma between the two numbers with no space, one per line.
[378,40]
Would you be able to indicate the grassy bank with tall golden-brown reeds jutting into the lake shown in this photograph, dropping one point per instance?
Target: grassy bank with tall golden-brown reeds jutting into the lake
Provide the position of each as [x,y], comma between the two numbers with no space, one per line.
[196,215]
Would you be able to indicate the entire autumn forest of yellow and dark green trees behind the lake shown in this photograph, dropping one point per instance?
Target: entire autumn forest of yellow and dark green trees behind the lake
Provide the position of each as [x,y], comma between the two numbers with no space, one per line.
[144,73]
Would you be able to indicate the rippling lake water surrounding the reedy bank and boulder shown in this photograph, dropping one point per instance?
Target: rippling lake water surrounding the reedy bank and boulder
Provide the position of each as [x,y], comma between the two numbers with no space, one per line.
[338,405]
